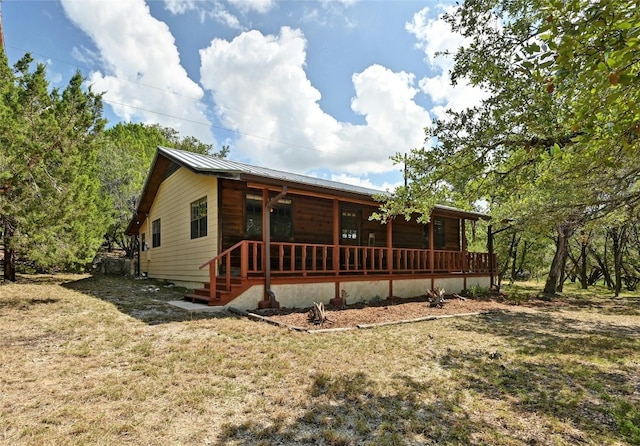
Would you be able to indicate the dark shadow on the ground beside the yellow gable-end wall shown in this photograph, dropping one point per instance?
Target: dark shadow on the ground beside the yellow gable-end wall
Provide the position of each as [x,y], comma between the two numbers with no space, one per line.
[143,299]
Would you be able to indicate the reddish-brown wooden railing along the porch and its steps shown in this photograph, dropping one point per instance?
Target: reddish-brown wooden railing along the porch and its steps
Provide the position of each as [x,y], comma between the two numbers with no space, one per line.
[246,259]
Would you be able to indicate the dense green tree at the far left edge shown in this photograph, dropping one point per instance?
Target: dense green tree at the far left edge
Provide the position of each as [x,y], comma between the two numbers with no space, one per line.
[51,206]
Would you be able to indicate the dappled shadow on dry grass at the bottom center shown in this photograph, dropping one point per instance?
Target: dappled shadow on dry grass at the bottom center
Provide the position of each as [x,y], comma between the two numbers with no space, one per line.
[348,410]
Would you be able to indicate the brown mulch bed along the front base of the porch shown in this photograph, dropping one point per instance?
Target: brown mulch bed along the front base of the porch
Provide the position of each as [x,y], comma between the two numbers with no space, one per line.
[386,311]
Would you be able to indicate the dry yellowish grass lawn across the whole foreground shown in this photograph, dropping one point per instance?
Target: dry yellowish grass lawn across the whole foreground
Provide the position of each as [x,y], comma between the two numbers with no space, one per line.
[103,360]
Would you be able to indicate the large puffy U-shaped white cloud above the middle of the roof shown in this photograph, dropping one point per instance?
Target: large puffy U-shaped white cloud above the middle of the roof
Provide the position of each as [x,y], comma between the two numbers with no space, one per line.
[262,90]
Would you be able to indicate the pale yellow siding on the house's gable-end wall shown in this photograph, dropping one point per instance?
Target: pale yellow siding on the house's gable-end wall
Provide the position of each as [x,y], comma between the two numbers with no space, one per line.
[178,256]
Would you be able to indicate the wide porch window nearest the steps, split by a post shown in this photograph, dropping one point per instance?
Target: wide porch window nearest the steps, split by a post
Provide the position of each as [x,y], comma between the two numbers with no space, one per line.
[281,217]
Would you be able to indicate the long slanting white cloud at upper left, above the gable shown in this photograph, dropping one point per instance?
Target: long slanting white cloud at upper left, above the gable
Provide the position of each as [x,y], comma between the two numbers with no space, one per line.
[142,71]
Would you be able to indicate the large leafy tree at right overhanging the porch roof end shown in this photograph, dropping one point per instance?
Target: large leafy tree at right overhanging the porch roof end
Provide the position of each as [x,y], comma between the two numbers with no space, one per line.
[524,151]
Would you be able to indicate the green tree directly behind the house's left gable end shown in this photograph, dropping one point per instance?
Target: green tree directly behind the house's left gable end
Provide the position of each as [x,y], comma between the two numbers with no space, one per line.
[125,157]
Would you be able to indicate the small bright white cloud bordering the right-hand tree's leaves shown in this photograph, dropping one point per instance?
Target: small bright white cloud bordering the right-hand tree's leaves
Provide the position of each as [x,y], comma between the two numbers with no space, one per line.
[434,35]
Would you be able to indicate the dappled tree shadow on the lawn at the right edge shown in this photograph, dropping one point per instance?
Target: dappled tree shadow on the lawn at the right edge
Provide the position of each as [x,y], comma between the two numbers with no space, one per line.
[564,369]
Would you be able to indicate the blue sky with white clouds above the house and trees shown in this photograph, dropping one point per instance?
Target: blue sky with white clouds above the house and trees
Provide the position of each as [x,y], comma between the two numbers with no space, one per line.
[331,89]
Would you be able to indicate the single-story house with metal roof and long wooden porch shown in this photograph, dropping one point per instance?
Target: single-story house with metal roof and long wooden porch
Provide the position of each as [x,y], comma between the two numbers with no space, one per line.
[250,237]
